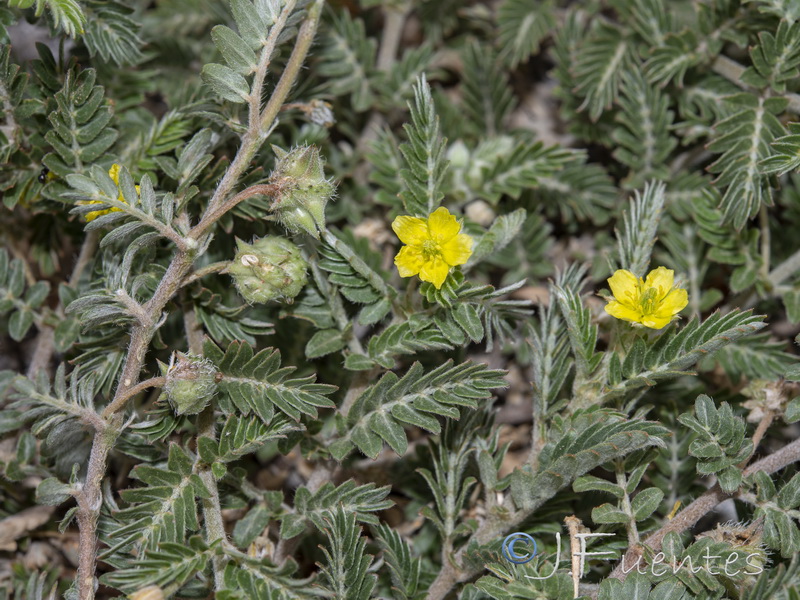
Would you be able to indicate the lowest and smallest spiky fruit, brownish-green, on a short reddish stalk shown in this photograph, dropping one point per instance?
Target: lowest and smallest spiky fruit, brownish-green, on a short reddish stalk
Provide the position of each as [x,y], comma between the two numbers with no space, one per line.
[191,383]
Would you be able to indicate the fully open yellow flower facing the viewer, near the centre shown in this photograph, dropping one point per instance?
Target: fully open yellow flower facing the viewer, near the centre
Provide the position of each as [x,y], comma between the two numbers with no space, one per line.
[433,246]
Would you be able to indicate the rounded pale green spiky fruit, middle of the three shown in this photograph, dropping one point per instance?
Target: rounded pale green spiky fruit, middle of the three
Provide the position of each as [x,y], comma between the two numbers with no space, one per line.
[270,268]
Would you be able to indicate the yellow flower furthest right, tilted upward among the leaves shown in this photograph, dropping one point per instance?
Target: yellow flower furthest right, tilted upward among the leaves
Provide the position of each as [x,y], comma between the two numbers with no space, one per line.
[653,302]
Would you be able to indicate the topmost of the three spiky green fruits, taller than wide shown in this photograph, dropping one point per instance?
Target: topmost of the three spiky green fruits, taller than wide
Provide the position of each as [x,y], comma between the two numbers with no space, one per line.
[303,189]
